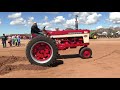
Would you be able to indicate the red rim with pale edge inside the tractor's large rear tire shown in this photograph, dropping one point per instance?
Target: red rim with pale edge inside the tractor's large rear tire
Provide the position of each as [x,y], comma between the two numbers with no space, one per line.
[41,52]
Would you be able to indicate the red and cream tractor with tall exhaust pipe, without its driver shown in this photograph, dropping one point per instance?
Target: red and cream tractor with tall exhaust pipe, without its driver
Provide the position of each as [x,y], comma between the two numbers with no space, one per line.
[43,50]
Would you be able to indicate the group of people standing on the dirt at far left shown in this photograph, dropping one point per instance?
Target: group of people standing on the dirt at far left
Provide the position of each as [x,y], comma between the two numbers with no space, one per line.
[12,40]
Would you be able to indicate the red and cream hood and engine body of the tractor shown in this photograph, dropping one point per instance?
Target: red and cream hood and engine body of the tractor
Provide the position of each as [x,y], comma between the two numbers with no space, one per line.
[70,38]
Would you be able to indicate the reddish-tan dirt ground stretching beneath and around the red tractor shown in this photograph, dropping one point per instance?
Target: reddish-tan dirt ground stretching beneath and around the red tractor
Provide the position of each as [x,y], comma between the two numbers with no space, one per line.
[105,62]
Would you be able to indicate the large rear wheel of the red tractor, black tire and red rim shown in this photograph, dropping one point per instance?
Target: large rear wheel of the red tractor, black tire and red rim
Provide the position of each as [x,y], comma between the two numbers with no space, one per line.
[41,51]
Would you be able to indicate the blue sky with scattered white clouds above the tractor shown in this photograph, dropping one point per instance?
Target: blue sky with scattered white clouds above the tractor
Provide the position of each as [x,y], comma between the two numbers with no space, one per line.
[20,22]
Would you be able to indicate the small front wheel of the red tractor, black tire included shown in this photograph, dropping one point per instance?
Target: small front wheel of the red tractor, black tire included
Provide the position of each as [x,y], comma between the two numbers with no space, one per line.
[85,53]
